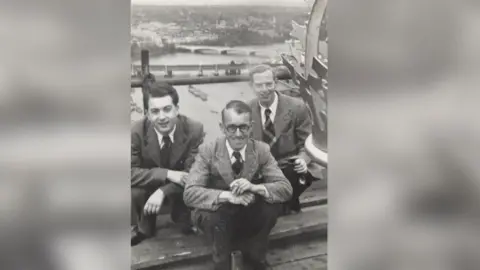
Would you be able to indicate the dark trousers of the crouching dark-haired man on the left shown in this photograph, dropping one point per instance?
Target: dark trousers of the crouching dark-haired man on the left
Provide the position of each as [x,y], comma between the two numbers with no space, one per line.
[146,223]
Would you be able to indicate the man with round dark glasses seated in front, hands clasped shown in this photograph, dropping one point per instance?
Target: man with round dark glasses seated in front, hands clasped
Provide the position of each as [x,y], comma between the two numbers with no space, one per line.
[236,189]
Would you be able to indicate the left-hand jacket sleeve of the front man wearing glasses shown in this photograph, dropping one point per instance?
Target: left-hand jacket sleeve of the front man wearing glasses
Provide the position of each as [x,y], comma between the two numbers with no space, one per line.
[196,193]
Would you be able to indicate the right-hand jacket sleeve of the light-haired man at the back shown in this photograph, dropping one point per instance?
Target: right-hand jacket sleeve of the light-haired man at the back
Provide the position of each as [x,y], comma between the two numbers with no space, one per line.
[303,128]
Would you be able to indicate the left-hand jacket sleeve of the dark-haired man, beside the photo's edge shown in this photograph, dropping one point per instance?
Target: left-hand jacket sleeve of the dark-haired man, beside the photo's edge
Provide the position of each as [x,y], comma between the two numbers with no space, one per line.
[141,177]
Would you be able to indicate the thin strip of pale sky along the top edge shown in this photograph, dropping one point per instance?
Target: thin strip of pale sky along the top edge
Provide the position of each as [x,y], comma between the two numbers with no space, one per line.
[220,2]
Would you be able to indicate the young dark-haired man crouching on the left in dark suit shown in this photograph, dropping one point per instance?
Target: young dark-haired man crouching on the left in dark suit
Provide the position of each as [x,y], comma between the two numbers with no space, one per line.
[164,145]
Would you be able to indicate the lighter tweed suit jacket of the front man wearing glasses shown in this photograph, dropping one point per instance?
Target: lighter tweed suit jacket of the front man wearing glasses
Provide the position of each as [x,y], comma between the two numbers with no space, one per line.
[212,173]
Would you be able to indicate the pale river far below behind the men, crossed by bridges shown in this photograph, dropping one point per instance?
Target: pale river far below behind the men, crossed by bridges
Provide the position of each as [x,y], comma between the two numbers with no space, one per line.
[208,111]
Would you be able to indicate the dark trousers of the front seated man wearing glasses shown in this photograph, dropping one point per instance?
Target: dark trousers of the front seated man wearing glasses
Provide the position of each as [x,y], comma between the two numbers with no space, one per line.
[234,226]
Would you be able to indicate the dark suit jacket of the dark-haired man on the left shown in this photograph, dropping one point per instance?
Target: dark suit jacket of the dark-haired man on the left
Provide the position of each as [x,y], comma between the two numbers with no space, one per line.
[146,170]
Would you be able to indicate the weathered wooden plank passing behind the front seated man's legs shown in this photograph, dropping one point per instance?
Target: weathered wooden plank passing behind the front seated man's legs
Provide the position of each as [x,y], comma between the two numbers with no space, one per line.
[155,252]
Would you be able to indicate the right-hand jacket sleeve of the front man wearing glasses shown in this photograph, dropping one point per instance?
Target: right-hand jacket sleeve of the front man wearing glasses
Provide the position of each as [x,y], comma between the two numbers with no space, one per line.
[278,187]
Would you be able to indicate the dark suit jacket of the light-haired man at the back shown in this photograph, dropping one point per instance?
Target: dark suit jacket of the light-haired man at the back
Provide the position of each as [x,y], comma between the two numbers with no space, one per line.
[292,124]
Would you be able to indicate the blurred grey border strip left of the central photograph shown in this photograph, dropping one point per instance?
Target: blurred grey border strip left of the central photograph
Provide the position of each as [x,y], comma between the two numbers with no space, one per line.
[65,134]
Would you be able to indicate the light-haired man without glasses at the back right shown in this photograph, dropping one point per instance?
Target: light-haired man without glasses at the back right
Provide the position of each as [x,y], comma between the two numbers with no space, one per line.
[284,123]
